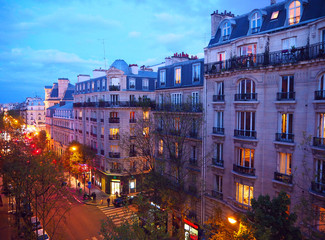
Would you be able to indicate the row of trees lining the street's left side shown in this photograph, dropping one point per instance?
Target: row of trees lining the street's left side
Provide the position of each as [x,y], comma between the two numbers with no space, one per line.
[33,178]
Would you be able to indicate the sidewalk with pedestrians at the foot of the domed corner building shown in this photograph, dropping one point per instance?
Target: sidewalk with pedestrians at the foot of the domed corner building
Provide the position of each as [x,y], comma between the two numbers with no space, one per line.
[101,197]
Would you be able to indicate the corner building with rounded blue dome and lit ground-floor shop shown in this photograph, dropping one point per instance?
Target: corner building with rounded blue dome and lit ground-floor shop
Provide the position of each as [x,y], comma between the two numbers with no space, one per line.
[107,107]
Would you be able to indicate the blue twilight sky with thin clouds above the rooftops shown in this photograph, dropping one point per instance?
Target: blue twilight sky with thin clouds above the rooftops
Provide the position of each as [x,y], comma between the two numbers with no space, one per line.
[43,40]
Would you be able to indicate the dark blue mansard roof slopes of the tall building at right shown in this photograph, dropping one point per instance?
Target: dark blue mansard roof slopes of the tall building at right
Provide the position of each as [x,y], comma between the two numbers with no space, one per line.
[312,10]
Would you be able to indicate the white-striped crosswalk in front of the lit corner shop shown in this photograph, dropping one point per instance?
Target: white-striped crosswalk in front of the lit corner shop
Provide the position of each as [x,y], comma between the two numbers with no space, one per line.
[118,215]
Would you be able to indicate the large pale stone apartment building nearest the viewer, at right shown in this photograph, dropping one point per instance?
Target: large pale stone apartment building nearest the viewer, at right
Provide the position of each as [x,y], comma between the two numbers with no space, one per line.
[265,108]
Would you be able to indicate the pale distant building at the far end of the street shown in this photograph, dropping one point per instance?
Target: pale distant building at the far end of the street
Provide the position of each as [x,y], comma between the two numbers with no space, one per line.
[33,112]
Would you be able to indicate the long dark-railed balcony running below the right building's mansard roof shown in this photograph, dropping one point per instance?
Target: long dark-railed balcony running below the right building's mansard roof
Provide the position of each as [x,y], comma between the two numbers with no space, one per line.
[265,59]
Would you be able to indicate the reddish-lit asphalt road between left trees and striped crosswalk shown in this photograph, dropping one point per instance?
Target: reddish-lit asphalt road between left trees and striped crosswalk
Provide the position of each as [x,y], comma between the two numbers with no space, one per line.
[82,222]
